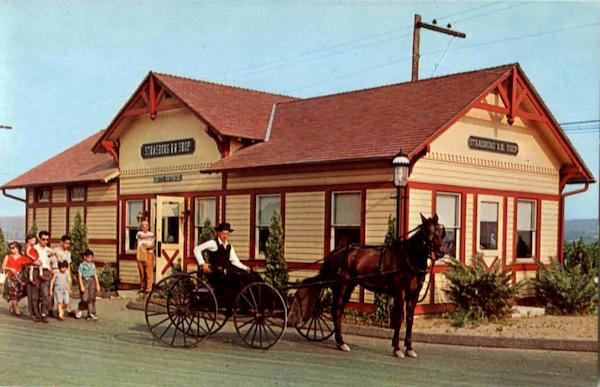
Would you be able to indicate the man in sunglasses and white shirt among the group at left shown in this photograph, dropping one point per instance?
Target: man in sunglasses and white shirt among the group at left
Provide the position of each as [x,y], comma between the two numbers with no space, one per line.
[37,293]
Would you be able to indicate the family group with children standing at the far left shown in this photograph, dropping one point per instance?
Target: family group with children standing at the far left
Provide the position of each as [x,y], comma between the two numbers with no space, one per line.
[43,275]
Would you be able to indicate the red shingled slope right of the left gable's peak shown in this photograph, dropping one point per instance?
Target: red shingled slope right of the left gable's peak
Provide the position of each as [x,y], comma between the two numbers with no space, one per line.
[232,111]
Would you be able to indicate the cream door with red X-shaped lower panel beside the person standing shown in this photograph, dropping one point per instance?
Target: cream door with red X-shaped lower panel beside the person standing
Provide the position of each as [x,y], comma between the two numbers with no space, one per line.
[169,234]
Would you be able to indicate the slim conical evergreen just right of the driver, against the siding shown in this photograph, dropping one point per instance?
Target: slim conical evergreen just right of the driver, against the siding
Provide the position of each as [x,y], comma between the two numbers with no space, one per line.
[276,273]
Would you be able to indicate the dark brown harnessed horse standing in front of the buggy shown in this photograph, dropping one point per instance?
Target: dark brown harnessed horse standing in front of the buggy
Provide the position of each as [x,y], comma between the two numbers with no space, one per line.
[398,270]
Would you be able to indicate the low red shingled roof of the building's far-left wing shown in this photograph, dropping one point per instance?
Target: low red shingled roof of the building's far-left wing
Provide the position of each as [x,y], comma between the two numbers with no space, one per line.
[76,164]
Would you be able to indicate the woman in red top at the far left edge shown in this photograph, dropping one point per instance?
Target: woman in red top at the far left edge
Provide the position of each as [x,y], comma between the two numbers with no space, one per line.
[15,276]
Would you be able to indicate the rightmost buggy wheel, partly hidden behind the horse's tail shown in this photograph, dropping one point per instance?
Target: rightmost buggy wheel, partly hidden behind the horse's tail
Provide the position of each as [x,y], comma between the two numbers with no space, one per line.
[319,325]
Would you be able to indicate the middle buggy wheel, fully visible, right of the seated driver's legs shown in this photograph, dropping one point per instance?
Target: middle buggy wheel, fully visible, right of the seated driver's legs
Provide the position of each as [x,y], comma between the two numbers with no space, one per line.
[260,315]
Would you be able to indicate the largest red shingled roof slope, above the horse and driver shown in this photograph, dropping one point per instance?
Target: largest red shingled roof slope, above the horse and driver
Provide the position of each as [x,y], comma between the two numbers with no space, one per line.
[366,124]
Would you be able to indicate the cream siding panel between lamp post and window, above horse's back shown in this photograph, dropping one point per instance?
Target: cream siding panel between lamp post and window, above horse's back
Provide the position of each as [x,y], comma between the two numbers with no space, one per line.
[381,203]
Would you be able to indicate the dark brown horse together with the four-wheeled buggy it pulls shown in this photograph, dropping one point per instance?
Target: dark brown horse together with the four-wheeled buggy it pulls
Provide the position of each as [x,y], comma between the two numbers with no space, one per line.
[185,308]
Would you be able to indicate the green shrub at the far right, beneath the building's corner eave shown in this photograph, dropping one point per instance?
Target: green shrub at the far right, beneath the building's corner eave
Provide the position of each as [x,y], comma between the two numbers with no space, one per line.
[566,289]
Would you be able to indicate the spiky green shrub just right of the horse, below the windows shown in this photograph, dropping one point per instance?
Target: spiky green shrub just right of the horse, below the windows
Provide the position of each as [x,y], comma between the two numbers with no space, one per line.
[478,293]
